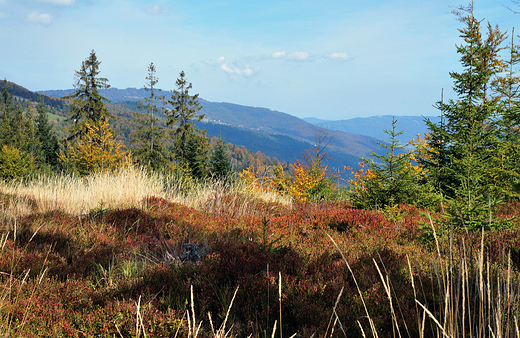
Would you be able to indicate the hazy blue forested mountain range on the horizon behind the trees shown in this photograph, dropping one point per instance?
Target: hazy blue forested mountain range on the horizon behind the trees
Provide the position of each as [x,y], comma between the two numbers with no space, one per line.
[277,134]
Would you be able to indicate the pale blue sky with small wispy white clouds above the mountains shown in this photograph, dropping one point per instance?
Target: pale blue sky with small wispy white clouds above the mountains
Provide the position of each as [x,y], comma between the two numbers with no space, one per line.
[328,59]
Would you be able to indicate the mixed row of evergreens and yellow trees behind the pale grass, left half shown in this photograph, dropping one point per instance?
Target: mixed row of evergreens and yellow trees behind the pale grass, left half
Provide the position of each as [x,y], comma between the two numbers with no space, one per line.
[162,136]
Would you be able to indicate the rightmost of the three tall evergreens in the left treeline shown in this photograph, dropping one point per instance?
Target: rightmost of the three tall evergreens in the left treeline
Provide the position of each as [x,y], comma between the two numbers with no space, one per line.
[187,138]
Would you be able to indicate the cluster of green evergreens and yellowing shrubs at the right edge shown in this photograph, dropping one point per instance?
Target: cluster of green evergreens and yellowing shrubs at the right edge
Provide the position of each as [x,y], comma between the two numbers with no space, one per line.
[469,163]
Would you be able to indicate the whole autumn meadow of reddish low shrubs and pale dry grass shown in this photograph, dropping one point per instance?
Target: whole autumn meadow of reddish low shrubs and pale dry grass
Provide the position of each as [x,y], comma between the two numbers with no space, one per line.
[133,254]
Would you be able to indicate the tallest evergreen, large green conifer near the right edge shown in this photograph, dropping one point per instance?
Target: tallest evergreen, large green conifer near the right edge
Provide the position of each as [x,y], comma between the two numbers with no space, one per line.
[471,131]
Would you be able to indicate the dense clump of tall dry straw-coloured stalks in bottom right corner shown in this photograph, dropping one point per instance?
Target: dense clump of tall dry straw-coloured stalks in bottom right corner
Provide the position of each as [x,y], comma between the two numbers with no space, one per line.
[478,298]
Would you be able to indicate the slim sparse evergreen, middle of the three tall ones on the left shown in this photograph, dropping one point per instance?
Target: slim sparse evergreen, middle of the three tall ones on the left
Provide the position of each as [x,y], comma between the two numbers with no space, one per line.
[149,148]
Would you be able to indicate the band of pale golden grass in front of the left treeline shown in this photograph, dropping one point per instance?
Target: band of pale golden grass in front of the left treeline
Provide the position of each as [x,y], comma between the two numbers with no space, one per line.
[125,188]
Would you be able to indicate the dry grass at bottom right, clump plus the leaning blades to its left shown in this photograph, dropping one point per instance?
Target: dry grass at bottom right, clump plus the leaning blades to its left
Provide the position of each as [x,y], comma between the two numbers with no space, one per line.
[477,298]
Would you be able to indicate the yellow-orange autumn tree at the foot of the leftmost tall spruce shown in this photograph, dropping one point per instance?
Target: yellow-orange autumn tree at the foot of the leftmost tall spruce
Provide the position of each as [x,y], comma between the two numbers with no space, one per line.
[97,150]
